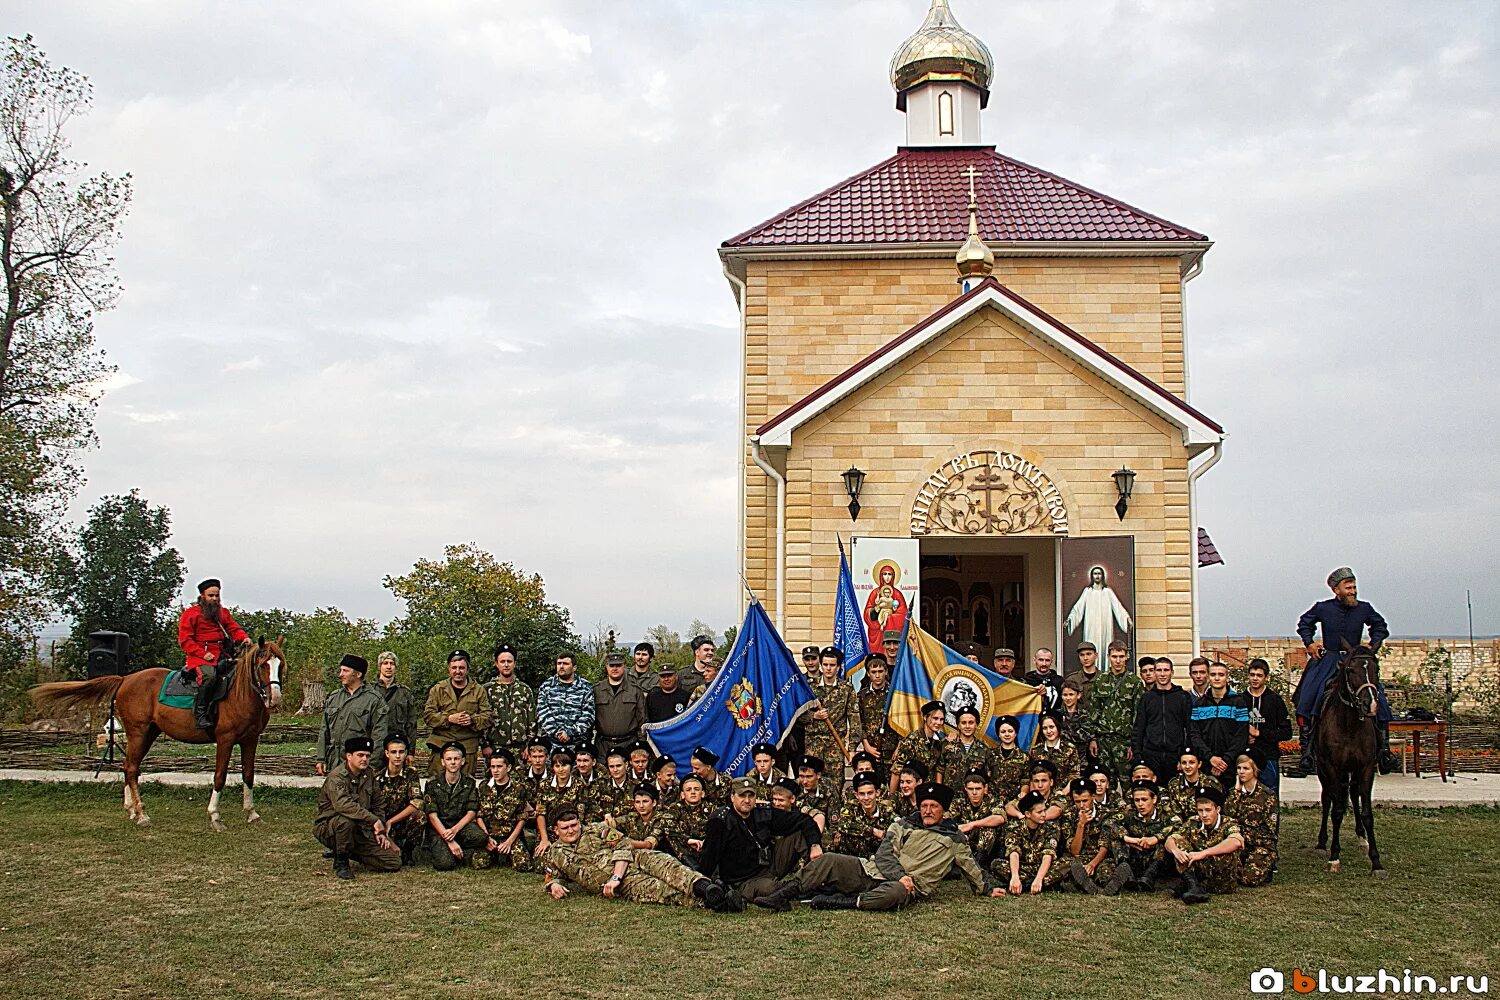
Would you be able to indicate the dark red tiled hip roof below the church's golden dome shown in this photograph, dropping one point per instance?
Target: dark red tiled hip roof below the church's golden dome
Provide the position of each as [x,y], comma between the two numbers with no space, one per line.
[922,196]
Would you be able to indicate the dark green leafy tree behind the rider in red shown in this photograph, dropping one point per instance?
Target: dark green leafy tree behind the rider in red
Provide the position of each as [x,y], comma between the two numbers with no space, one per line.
[121,575]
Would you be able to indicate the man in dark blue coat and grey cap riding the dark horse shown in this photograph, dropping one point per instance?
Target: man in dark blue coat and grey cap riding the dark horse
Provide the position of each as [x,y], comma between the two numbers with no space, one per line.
[1343,620]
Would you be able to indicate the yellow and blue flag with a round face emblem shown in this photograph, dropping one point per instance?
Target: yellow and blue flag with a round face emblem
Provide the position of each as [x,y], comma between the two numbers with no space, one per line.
[928,671]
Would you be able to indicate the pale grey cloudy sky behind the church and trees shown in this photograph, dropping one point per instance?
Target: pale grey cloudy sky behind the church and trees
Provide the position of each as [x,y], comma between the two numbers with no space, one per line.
[403,275]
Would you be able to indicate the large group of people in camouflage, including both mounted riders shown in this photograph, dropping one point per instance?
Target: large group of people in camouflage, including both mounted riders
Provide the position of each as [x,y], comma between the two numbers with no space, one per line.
[1129,782]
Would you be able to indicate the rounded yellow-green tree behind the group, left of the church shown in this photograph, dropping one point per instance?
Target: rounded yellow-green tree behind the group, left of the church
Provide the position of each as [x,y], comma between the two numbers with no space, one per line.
[470,600]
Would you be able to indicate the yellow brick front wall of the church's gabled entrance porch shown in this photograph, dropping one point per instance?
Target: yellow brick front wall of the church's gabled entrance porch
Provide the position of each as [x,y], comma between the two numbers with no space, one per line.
[989,385]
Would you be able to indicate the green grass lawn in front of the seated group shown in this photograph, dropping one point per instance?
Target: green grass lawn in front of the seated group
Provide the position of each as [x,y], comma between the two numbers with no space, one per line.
[91,906]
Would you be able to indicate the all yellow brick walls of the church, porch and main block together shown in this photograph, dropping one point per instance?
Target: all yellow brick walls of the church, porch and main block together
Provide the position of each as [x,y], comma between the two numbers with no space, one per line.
[986,385]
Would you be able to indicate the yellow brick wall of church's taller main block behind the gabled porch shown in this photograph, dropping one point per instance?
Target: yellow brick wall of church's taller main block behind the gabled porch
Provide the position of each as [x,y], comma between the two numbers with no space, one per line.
[806,322]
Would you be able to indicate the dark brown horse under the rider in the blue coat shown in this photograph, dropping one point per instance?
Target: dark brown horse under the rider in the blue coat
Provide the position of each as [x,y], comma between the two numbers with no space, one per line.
[1348,753]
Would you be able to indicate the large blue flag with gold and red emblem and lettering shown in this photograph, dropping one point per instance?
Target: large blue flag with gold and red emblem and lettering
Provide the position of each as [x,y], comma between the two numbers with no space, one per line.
[754,699]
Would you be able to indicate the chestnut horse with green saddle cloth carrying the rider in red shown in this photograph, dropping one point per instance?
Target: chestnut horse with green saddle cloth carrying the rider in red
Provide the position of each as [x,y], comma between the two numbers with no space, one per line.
[244,716]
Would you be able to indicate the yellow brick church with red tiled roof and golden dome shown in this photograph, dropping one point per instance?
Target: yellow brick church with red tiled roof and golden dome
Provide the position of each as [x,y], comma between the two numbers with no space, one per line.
[973,374]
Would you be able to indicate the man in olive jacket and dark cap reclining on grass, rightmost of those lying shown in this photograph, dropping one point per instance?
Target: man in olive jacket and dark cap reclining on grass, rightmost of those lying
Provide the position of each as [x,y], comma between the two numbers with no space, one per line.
[914,858]
